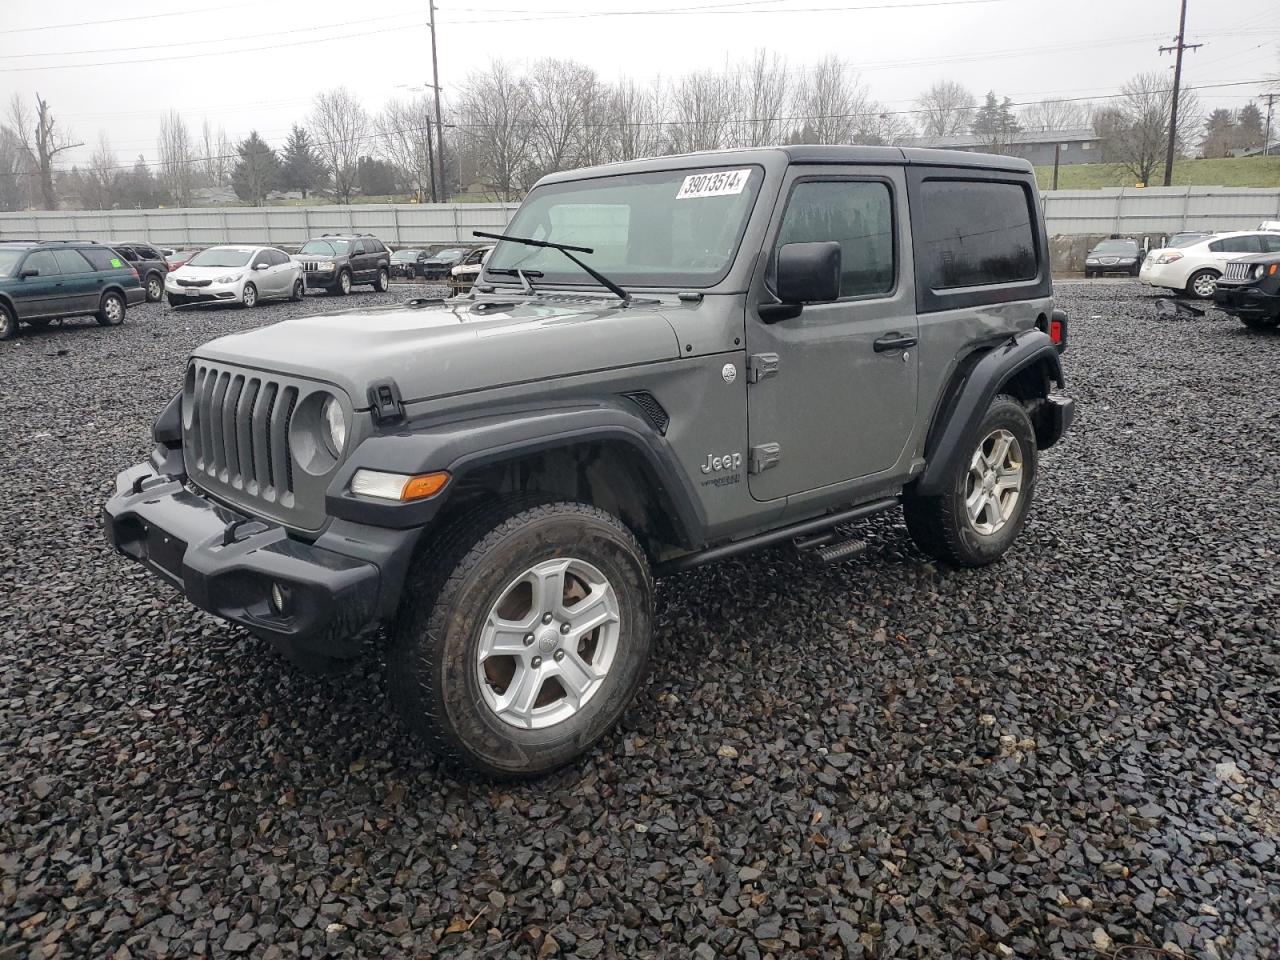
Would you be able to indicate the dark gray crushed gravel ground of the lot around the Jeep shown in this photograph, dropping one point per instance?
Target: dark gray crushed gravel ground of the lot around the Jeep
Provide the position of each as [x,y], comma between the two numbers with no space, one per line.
[1072,753]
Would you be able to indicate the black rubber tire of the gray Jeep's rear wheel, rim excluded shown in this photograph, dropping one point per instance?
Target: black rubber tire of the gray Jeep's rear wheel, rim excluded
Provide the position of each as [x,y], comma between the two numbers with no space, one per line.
[940,525]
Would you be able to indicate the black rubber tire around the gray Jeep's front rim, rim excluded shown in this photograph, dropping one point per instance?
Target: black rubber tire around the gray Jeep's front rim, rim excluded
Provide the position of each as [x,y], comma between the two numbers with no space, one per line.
[433,675]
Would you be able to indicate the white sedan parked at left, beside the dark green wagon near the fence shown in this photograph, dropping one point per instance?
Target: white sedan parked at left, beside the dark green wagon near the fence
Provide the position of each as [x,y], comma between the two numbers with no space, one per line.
[235,275]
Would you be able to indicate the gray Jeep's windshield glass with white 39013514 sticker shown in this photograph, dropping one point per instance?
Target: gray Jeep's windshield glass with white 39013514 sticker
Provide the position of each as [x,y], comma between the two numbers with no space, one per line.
[671,228]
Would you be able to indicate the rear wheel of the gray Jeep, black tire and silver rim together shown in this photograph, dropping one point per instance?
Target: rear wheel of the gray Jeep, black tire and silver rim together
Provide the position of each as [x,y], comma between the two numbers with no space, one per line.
[977,519]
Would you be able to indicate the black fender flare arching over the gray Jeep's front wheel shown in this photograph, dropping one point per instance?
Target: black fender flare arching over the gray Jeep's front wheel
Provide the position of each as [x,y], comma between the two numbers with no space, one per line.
[463,444]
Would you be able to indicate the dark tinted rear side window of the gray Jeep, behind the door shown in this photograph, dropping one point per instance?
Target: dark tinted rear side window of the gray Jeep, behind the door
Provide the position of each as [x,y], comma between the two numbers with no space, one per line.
[973,234]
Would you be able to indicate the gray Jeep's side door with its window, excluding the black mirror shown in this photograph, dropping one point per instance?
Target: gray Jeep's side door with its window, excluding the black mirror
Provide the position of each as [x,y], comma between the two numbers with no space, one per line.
[833,392]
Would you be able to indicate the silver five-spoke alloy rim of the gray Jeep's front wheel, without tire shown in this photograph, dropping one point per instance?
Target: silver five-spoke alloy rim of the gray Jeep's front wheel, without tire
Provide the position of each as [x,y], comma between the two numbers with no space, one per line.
[548,643]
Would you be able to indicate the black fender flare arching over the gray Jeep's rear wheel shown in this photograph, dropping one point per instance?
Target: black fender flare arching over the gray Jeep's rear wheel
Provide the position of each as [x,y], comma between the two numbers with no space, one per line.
[956,428]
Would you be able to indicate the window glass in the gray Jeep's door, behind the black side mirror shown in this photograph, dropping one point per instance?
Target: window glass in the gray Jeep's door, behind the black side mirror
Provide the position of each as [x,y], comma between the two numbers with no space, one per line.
[860,216]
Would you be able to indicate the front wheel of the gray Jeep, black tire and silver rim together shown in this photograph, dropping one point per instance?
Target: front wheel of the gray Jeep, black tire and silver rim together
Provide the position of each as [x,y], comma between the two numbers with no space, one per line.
[523,644]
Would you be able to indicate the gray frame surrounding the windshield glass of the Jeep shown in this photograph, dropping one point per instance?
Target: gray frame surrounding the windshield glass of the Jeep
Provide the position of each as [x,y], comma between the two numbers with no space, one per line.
[758,186]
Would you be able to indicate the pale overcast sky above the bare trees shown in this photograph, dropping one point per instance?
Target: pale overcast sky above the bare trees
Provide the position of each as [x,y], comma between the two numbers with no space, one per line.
[257,63]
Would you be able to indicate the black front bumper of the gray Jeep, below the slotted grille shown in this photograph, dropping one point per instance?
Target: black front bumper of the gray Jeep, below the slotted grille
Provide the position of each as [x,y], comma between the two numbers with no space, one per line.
[227,564]
